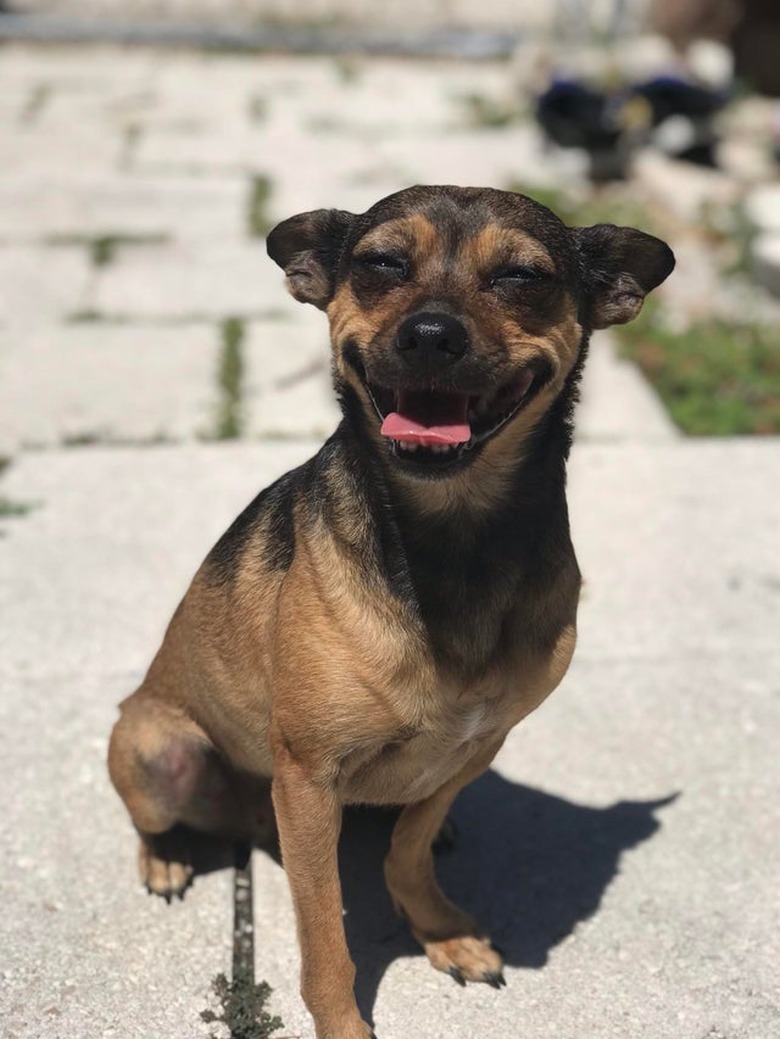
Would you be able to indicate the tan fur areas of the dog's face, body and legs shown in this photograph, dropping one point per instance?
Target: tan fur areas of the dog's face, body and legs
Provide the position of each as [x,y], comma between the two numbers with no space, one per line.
[308,677]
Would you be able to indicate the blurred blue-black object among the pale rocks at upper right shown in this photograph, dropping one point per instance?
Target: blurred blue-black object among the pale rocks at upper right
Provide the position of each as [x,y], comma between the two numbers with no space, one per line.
[611,125]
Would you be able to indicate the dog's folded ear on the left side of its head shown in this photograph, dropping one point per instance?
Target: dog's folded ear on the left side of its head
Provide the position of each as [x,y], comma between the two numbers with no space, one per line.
[309,248]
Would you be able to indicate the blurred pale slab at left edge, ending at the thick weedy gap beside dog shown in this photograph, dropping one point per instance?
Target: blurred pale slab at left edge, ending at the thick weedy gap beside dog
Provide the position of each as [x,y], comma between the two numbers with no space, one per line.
[109,383]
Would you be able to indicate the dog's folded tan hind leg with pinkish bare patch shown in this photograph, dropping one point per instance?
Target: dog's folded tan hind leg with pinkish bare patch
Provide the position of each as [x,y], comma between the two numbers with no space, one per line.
[171,777]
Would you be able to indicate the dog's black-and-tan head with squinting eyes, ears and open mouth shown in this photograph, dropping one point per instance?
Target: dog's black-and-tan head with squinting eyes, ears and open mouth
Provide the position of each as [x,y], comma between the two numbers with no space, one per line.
[458,315]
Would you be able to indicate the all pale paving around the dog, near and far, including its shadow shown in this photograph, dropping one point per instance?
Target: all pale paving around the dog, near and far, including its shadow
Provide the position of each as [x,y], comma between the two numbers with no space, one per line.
[623,850]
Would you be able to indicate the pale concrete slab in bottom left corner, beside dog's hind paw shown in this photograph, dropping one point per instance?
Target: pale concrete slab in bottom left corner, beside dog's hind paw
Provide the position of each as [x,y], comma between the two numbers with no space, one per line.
[87,951]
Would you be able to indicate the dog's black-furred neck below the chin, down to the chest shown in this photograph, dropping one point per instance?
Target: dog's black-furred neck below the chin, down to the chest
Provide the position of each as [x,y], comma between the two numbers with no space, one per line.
[459,558]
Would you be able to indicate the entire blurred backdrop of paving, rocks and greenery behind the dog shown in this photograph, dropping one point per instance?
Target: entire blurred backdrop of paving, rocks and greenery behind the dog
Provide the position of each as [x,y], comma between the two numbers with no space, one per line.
[148,147]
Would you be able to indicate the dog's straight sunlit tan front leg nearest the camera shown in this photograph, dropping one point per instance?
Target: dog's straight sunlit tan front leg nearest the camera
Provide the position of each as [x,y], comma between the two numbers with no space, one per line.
[309,817]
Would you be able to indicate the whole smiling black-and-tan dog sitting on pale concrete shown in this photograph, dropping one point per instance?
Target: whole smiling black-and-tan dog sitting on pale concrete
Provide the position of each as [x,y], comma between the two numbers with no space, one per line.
[374,624]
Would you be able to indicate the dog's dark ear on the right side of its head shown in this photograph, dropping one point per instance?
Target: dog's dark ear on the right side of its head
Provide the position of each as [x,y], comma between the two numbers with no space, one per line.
[621,267]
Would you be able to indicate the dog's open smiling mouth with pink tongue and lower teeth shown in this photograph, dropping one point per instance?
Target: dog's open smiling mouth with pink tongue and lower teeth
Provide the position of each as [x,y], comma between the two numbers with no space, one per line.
[441,428]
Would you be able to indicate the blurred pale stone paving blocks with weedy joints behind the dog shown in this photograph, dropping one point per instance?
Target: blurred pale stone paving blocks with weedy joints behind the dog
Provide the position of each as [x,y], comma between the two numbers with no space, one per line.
[129,185]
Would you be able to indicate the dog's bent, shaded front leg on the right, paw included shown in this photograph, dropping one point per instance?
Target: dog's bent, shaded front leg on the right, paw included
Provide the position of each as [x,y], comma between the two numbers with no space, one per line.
[452,940]
